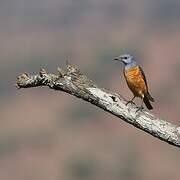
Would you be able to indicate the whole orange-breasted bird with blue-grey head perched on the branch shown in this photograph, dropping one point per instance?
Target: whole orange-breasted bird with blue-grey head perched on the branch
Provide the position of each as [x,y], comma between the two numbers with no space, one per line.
[136,80]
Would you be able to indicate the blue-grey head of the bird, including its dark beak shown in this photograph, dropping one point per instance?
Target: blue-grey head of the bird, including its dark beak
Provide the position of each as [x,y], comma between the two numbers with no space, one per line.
[127,59]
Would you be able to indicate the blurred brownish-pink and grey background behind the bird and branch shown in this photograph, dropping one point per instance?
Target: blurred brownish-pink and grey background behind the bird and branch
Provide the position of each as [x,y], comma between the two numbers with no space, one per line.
[46,134]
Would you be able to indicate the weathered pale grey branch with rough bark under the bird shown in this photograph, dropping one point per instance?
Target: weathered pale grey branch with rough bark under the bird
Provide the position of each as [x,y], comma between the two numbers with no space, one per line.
[73,82]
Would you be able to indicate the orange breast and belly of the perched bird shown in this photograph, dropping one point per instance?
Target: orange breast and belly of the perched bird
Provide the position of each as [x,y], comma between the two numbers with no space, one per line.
[135,81]
